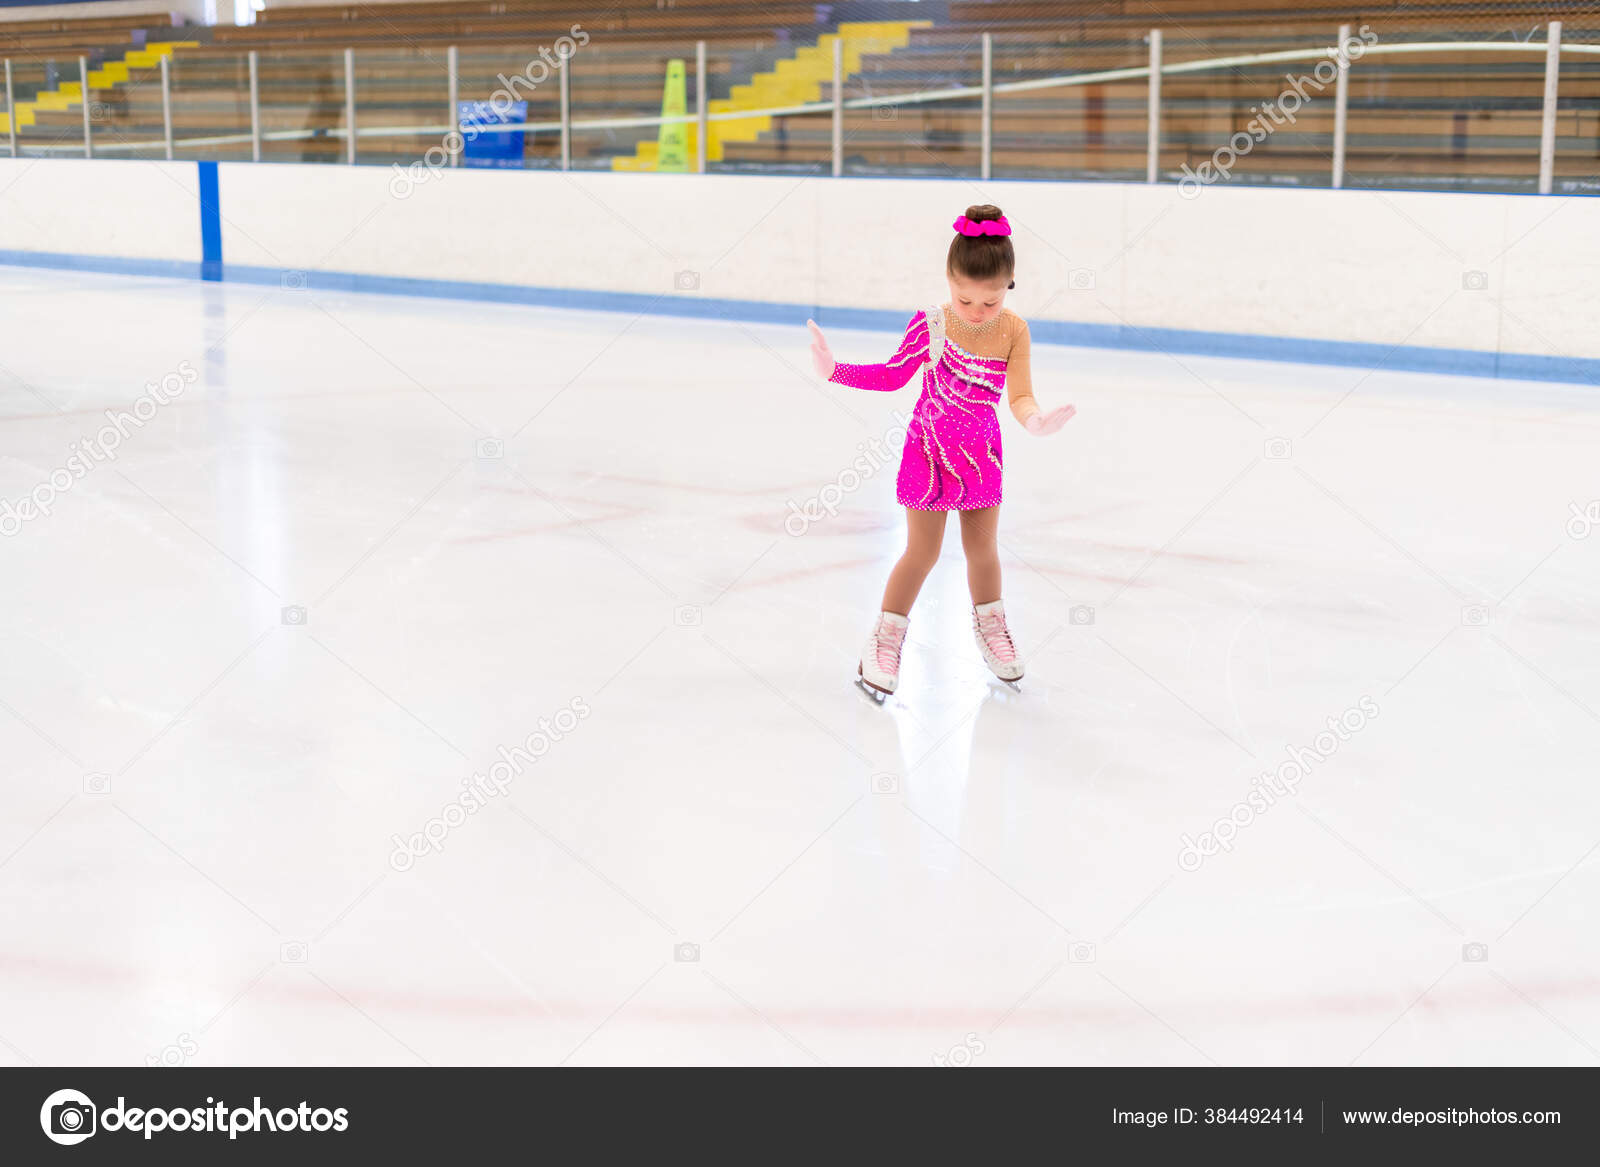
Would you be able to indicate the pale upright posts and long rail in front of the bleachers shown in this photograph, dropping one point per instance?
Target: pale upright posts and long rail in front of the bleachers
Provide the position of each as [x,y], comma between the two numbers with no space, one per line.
[986,92]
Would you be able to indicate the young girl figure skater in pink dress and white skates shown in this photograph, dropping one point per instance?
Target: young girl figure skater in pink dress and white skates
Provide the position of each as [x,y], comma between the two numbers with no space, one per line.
[970,351]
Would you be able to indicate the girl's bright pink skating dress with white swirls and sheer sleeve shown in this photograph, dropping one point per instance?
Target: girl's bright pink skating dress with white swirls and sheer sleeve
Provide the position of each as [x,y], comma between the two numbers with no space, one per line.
[953,457]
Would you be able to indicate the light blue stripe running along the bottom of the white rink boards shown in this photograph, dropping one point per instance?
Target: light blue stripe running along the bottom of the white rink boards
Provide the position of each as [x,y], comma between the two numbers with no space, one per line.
[1255,347]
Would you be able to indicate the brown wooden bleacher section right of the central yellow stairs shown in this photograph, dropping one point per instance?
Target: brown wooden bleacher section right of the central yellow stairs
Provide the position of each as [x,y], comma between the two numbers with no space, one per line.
[1473,116]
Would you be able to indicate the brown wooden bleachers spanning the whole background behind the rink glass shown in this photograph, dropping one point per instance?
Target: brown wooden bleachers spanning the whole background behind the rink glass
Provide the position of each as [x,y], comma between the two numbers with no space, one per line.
[1442,116]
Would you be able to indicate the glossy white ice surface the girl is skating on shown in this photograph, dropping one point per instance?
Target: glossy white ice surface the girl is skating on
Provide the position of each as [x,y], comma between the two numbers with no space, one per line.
[378,540]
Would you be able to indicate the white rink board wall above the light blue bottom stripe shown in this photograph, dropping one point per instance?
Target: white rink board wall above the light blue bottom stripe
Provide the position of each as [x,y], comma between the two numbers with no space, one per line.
[1375,268]
